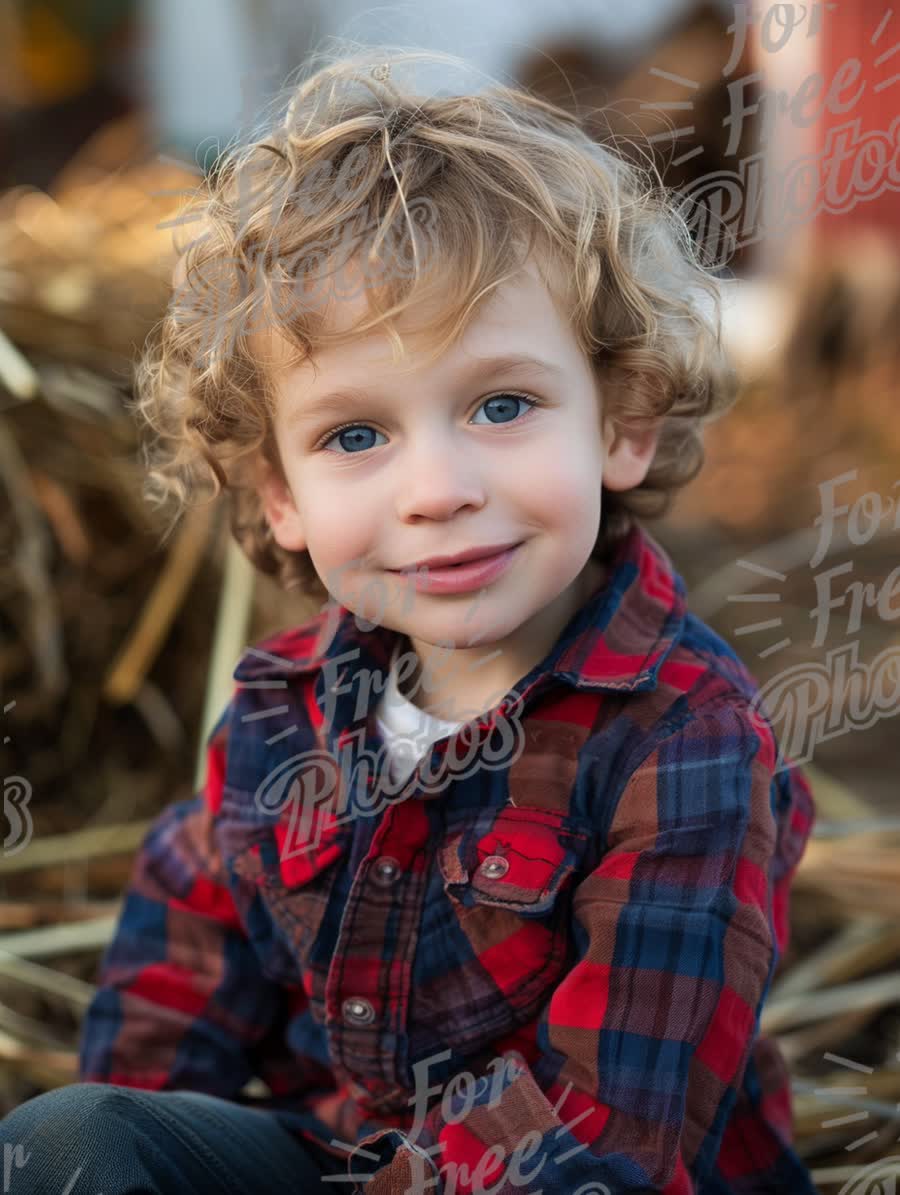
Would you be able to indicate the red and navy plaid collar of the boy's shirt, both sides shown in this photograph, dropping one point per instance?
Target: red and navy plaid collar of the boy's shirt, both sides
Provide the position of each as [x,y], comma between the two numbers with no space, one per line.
[617,641]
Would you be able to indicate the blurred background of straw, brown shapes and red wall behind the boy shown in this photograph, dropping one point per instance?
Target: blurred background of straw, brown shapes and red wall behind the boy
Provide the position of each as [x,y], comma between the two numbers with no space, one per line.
[780,127]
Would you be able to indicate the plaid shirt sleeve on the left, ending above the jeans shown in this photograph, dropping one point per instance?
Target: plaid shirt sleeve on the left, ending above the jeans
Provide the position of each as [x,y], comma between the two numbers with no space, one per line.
[181,1000]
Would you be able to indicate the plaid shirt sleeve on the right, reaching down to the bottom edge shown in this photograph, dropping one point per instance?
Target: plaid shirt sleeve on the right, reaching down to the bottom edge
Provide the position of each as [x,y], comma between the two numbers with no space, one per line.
[641,1051]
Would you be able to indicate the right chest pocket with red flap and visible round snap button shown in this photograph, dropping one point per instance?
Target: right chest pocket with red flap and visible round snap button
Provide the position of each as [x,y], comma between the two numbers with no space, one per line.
[509,888]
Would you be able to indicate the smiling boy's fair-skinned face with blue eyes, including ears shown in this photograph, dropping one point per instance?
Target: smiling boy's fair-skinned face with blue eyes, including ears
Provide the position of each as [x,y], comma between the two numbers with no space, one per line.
[431,468]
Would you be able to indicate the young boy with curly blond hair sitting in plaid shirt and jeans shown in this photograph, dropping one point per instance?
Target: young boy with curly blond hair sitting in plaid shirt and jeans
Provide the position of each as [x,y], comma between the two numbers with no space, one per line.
[489,877]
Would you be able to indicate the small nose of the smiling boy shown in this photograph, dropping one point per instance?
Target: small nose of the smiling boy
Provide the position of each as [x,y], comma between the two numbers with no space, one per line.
[439,480]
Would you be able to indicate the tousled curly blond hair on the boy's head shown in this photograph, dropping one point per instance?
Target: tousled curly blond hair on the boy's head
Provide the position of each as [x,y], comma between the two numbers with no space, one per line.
[445,192]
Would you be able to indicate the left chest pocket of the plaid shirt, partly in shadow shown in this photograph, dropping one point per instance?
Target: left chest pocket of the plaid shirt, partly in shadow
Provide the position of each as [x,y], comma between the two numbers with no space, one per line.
[295,883]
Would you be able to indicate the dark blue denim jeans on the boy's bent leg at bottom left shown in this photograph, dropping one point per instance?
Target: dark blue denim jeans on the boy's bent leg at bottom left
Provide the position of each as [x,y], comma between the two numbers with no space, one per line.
[93,1138]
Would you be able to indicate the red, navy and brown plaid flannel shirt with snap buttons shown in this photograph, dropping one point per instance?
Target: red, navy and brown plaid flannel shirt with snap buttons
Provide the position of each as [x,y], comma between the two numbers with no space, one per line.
[538,972]
